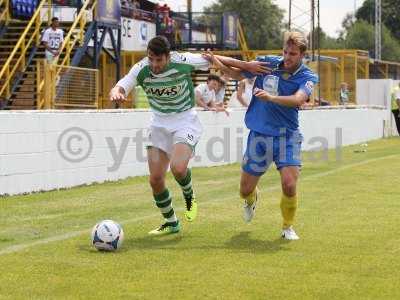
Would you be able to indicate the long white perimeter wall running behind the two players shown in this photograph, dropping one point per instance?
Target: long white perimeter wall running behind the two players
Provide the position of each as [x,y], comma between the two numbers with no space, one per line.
[31,143]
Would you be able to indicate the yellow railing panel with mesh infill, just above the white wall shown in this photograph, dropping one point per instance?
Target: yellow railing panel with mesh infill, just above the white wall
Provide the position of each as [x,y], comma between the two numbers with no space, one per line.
[67,87]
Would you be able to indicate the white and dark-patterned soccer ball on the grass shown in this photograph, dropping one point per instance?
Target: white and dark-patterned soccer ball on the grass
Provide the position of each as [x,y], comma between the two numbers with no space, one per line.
[107,236]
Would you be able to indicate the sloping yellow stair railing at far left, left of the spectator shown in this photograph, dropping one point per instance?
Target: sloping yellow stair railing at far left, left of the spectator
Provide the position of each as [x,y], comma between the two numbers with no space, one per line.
[16,61]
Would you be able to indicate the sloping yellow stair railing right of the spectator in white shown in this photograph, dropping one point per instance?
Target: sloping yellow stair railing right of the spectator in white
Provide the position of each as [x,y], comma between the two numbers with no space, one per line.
[69,43]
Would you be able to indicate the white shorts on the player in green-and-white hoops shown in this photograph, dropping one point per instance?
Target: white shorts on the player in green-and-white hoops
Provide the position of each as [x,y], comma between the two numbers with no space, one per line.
[166,131]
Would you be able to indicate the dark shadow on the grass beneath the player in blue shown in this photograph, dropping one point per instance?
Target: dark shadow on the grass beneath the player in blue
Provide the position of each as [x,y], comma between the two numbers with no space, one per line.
[243,242]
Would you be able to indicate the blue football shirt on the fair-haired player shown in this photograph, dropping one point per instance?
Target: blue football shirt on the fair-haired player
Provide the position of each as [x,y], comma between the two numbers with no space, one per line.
[271,118]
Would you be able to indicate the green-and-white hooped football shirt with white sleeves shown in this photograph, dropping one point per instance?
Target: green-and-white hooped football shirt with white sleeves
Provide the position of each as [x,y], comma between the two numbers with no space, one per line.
[171,91]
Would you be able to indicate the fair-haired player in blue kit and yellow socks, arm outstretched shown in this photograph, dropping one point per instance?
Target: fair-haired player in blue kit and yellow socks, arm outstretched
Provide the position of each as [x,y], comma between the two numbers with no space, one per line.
[272,118]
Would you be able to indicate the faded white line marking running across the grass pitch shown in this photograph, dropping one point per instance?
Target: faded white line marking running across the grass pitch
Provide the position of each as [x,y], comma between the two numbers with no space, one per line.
[69,235]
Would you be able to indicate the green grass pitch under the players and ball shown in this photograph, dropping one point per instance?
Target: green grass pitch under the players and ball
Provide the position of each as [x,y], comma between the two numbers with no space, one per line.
[347,220]
